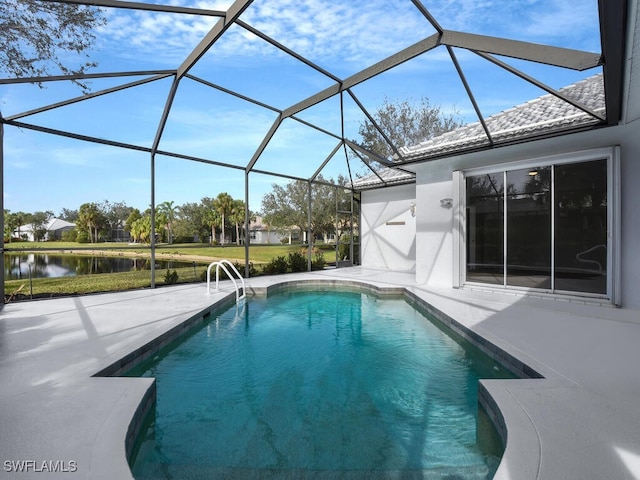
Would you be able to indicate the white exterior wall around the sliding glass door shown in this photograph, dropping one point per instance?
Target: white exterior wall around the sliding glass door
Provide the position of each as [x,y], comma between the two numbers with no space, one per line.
[434,233]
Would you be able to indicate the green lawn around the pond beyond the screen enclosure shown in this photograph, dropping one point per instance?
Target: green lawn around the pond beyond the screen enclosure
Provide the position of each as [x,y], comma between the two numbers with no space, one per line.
[109,282]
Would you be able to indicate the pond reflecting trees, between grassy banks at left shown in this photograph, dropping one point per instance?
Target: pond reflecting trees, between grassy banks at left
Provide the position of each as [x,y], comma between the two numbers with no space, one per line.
[43,265]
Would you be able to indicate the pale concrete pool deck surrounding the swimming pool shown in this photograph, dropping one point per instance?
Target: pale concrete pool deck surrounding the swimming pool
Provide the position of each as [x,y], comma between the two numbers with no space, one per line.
[582,421]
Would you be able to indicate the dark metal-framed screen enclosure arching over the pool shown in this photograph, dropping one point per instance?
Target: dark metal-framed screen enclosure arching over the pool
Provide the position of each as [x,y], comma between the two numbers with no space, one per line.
[189,99]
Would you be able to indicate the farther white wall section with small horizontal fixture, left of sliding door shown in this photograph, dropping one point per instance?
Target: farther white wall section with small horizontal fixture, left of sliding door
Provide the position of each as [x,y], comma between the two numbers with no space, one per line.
[388,229]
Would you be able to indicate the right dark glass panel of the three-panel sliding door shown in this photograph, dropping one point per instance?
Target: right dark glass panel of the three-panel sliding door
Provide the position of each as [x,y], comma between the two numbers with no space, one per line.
[581,227]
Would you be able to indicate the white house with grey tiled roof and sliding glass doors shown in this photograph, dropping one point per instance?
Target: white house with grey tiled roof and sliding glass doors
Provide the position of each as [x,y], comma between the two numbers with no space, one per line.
[557,216]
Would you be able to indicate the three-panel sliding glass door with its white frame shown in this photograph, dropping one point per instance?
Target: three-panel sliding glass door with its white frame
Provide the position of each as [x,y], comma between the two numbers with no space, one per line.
[548,226]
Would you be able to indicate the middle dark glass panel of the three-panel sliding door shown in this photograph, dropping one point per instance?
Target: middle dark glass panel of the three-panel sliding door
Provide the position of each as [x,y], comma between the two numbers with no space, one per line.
[529,227]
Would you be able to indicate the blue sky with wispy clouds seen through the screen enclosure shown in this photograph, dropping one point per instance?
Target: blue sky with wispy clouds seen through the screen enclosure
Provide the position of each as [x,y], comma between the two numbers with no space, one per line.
[50,172]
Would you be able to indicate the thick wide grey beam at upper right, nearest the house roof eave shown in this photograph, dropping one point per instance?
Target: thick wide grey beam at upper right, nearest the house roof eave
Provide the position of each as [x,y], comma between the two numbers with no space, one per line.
[533,52]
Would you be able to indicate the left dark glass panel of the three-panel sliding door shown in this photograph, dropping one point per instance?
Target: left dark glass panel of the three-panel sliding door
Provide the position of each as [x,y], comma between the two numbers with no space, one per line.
[485,228]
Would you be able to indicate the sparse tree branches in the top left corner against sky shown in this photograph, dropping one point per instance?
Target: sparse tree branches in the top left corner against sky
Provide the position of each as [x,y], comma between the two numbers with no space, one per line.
[36,36]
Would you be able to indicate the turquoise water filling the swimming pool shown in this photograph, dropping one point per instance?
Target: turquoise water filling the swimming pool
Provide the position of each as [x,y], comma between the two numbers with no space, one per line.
[318,384]
